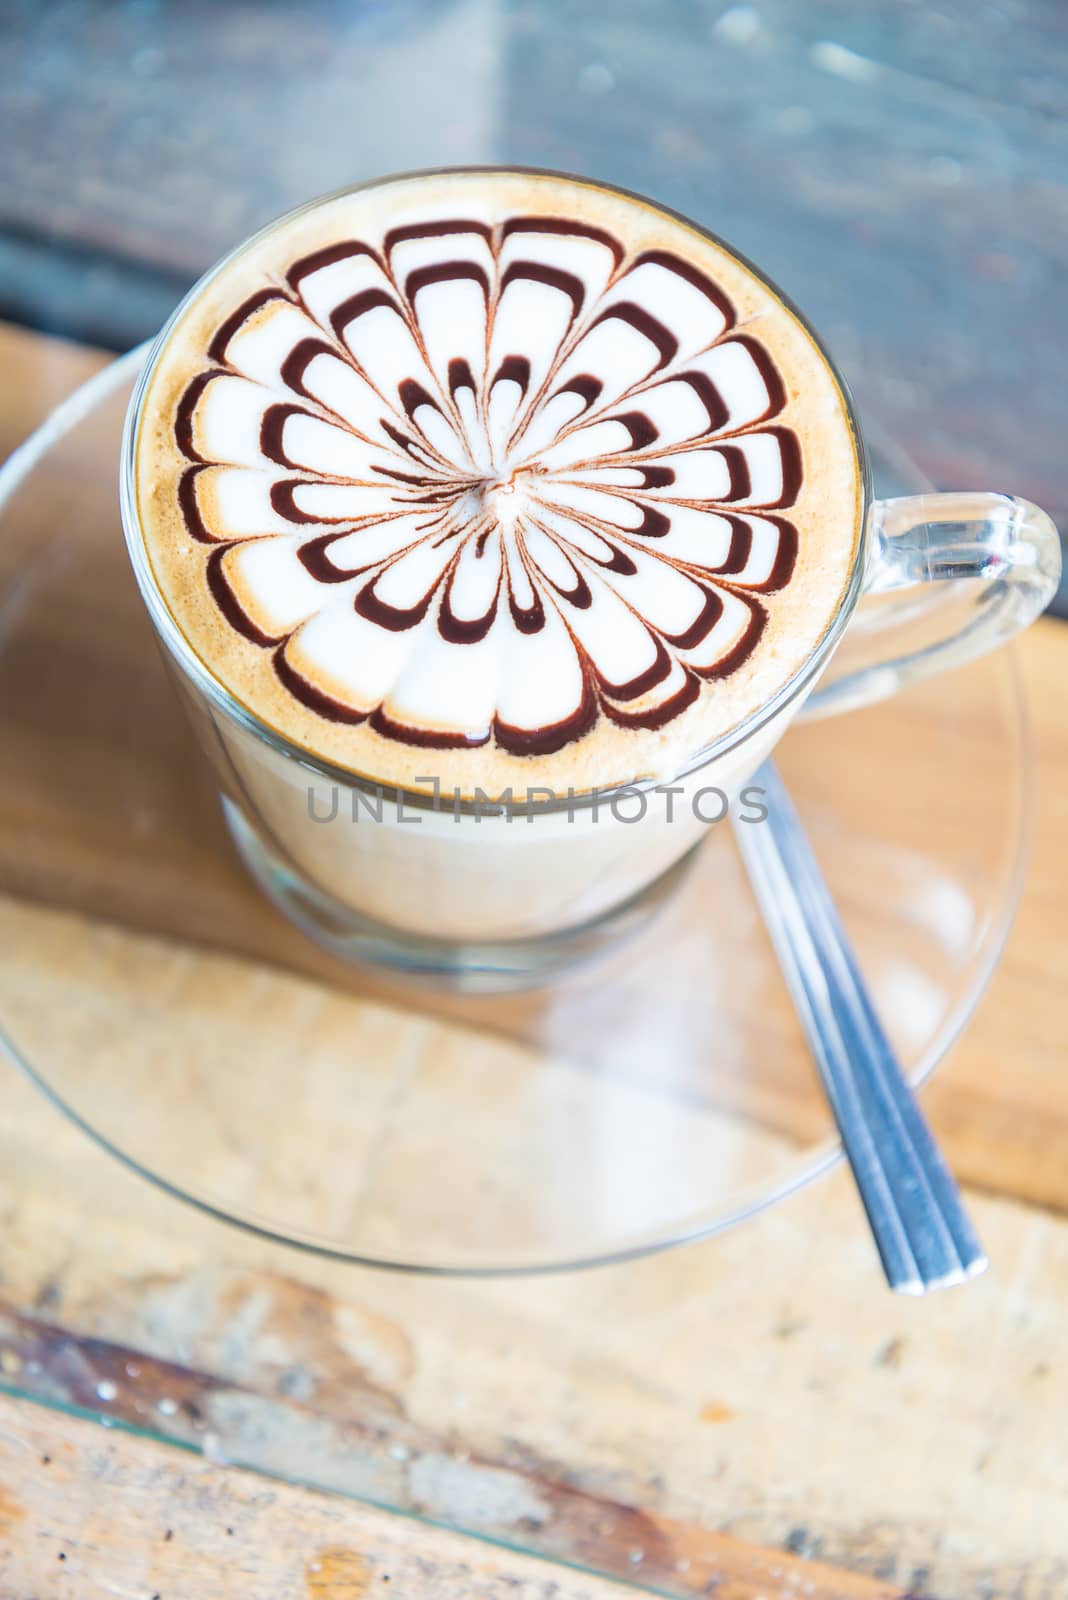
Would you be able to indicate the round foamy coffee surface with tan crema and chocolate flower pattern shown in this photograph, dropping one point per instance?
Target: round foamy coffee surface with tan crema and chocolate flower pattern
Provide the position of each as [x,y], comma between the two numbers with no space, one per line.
[496,479]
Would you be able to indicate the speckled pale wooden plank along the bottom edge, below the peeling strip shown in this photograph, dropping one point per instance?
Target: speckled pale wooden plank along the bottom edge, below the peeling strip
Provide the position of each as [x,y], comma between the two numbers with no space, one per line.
[118,1514]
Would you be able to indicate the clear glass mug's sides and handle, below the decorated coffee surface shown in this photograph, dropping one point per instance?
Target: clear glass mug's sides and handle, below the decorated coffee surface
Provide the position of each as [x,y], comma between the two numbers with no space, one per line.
[484,894]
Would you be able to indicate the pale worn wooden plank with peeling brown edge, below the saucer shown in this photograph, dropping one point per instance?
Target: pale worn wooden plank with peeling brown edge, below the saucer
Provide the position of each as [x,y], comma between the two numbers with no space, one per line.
[762,1386]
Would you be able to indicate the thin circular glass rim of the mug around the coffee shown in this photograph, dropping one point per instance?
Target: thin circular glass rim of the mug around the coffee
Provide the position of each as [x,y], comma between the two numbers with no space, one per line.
[226,702]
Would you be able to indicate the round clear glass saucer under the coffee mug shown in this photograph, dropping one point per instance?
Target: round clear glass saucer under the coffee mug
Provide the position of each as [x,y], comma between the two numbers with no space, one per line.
[648,1098]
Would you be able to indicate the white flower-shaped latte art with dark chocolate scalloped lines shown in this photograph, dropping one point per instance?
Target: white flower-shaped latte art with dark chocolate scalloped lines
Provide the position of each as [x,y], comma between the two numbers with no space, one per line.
[492,484]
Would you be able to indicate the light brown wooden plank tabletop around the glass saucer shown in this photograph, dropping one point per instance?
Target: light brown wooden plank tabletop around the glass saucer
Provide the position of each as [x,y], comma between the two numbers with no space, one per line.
[746,1418]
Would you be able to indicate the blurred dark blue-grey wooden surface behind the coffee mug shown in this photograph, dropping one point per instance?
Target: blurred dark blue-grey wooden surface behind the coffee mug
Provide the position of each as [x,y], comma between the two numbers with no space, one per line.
[899,169]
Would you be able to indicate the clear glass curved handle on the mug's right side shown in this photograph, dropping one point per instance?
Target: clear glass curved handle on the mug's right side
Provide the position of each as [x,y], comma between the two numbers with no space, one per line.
[949,578]
